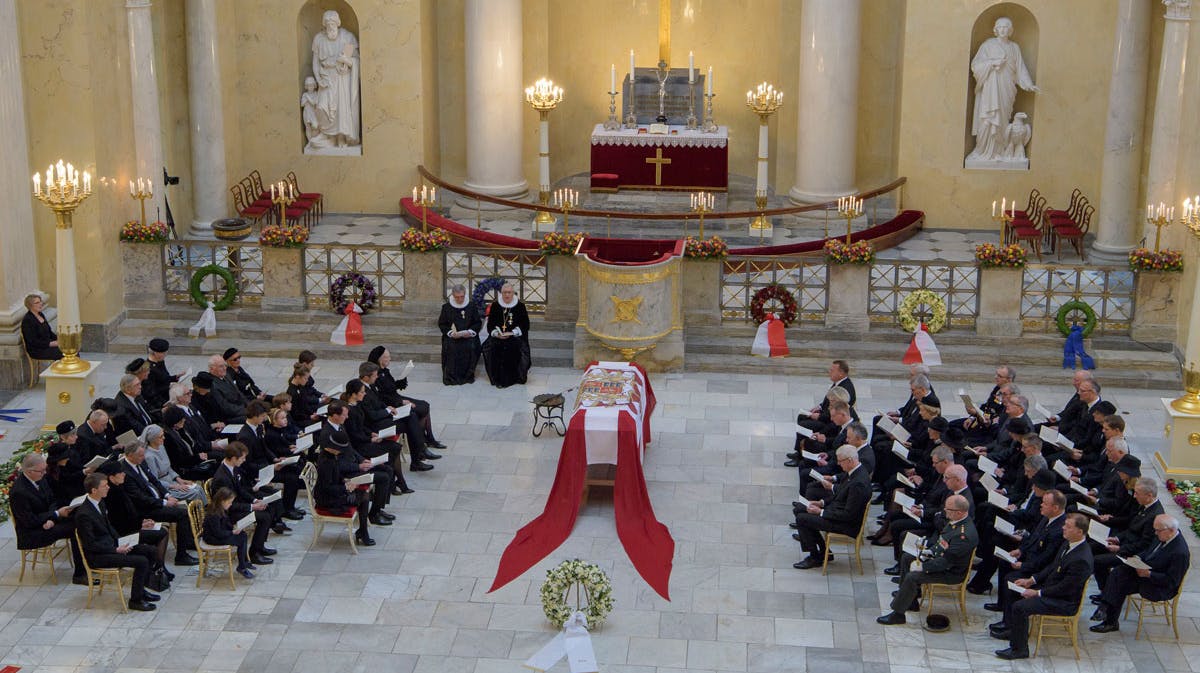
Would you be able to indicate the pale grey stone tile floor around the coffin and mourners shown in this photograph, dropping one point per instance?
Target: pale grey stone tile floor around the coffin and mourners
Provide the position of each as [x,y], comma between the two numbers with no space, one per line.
[417,603]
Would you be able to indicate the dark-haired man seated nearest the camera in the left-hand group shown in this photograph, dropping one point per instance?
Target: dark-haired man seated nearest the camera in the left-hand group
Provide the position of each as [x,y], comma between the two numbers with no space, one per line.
[100,544]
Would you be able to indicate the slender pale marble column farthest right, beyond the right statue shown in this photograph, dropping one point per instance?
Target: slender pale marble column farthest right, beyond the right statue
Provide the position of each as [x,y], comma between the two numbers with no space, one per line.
[1168,113]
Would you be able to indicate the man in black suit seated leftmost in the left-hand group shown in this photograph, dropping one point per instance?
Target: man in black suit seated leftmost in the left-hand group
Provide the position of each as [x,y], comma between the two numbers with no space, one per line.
[35,519]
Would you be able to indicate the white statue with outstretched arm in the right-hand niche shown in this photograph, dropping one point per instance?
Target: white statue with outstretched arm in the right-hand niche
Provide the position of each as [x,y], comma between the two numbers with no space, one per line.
[999,71]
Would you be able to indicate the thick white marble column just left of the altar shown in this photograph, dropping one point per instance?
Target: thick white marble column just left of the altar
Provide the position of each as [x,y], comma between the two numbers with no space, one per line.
[495,104]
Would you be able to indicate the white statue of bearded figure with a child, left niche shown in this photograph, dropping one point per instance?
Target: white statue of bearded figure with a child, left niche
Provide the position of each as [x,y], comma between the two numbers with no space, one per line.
[335,69]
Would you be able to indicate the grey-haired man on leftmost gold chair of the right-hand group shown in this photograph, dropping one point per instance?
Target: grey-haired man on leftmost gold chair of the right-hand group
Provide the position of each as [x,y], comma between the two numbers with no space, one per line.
[842,514]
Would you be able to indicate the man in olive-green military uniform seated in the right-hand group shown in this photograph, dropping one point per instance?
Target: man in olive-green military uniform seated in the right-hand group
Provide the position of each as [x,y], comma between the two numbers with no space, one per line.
[949,561]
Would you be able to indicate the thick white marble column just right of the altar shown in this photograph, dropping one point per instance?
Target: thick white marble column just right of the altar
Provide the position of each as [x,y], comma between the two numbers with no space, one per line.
[827,100]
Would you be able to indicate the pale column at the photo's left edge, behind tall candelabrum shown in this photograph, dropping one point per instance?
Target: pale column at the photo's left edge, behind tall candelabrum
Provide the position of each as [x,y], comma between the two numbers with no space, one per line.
[19,249]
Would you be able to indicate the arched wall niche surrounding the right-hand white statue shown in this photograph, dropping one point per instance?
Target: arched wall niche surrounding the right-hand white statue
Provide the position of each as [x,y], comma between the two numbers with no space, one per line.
[1025,34]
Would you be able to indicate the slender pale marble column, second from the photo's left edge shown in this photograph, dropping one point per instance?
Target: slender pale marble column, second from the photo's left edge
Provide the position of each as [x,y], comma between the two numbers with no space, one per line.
[147,122]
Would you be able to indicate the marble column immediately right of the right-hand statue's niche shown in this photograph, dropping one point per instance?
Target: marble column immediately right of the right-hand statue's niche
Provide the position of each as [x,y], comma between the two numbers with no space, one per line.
[1120,213]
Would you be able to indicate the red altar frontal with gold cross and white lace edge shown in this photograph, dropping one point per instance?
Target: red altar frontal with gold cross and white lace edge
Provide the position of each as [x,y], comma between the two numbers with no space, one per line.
[679,160]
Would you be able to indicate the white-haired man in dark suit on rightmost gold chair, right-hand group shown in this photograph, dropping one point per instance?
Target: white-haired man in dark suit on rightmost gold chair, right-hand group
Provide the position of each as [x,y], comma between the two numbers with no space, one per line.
[1168,561]
